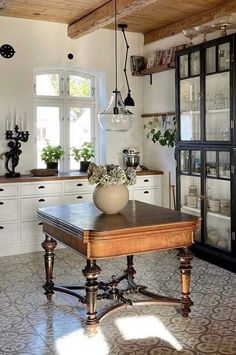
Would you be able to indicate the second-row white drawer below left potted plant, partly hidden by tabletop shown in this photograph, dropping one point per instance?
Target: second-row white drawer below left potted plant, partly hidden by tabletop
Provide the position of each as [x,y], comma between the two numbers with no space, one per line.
[29,206]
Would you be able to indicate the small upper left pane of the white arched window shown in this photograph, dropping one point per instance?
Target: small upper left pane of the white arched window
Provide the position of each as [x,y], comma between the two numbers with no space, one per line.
[47,84]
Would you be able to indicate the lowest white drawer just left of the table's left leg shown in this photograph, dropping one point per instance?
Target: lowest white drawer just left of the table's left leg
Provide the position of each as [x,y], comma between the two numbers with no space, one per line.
[31,232]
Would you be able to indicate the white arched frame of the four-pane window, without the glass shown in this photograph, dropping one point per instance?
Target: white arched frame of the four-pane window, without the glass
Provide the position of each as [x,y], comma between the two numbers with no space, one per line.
[64,102]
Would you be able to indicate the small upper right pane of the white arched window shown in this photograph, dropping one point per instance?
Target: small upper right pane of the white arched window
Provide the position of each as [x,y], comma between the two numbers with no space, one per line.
[79,86]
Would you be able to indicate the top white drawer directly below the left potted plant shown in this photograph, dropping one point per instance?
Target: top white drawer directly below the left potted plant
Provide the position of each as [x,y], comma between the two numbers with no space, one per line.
[41,188]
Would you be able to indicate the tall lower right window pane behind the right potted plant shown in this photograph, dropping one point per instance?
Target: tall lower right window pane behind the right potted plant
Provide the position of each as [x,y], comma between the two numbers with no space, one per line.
[80,129]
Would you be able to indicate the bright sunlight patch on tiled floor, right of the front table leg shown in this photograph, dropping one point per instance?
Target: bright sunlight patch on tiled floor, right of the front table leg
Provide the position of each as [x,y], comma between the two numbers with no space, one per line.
[142,327]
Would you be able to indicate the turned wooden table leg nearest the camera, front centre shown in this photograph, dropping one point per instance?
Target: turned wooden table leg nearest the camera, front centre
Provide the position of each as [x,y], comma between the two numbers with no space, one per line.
[91,272]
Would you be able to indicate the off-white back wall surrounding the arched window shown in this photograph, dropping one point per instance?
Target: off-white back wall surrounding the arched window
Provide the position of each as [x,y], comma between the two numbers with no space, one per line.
[44,44]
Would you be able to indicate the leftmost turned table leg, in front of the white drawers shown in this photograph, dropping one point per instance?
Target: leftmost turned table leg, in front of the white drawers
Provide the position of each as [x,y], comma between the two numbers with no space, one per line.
[49,244]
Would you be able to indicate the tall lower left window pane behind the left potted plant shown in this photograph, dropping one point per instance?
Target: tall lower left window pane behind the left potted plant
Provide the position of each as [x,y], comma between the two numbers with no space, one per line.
[48,129]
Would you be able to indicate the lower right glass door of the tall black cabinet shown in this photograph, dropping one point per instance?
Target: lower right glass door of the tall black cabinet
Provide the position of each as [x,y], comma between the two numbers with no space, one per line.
[217,200]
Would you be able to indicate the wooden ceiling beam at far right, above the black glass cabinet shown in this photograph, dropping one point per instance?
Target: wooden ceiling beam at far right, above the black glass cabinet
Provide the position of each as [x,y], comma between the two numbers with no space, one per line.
[189,22]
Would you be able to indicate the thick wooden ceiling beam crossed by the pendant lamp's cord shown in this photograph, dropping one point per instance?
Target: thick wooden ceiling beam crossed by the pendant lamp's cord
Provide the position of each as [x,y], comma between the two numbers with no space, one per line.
[104,15]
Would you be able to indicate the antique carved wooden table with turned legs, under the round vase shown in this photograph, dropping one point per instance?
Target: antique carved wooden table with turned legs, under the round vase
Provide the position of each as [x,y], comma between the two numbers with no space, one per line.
[138,228]
